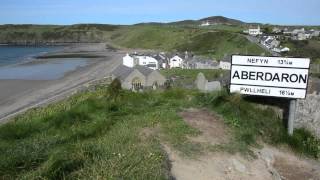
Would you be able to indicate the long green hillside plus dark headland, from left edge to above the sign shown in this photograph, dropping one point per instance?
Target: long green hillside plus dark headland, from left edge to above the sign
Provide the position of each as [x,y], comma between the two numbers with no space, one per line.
[212,41]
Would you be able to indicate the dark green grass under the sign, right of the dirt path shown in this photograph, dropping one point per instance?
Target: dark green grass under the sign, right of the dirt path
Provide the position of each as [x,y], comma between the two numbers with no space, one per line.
[251,123]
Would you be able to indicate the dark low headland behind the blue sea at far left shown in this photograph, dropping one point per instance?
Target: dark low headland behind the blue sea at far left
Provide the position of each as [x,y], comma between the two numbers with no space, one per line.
[41,34]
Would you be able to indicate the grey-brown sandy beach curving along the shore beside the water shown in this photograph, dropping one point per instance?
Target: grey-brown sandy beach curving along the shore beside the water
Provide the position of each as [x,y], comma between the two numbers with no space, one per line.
[17,96]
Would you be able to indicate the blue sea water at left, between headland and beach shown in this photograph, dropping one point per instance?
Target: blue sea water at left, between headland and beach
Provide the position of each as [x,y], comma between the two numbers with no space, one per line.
[18,62]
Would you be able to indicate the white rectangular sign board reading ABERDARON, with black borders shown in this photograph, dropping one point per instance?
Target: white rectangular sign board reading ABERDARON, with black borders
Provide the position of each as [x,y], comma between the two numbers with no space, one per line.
[270,76]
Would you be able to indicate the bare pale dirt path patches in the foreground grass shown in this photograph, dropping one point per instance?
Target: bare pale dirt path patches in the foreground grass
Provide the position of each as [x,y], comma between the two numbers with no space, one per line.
[271,163]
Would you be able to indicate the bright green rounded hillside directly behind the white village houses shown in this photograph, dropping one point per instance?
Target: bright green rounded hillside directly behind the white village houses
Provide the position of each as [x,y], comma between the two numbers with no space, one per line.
[171,38]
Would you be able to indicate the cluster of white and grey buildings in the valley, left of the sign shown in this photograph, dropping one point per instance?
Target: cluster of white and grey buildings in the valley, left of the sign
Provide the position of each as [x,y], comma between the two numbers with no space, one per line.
[139,71]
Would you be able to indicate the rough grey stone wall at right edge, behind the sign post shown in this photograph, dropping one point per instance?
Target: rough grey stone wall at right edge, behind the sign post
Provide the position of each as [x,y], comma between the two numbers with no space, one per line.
[308,114]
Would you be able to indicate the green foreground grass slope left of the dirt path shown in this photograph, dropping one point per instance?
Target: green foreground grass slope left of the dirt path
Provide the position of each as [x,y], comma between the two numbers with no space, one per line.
[87,137]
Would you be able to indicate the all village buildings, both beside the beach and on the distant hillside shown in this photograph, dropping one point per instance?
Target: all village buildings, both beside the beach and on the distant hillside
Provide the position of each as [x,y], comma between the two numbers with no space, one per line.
[140,70]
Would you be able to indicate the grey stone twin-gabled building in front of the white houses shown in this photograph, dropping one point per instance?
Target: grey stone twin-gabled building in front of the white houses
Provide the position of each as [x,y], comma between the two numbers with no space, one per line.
[138,77]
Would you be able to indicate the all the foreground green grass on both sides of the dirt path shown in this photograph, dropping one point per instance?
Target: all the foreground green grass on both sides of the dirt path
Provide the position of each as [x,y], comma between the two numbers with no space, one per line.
[108,135]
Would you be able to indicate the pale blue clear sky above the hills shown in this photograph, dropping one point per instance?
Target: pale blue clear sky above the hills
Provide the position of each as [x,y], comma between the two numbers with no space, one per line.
[284,12]
